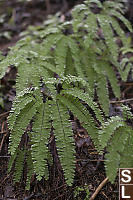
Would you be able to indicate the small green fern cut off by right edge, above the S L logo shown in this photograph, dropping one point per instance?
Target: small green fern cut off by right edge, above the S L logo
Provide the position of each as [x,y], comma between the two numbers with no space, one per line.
[116,136]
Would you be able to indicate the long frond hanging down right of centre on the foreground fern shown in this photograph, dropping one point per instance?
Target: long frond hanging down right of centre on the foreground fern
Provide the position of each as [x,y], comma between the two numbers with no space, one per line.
[64,139]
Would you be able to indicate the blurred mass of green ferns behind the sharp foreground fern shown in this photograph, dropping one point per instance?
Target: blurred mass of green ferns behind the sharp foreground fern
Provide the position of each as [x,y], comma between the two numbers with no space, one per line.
[86,47]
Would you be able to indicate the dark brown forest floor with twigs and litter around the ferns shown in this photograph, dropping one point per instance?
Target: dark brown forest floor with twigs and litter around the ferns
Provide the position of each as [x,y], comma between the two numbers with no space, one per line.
[15,17]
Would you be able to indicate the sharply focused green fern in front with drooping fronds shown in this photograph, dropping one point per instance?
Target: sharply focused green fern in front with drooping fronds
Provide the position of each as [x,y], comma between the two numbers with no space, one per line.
[47,109]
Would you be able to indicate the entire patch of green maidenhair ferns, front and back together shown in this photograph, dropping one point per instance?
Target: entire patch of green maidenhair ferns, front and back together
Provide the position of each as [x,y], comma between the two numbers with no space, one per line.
[59,70]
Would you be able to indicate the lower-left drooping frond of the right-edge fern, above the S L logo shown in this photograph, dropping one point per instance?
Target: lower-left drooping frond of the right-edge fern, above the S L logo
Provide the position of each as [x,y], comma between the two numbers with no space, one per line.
[115,152]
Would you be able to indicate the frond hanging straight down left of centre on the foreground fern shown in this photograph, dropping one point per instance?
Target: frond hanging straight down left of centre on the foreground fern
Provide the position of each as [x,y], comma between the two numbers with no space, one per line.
[39,137]
